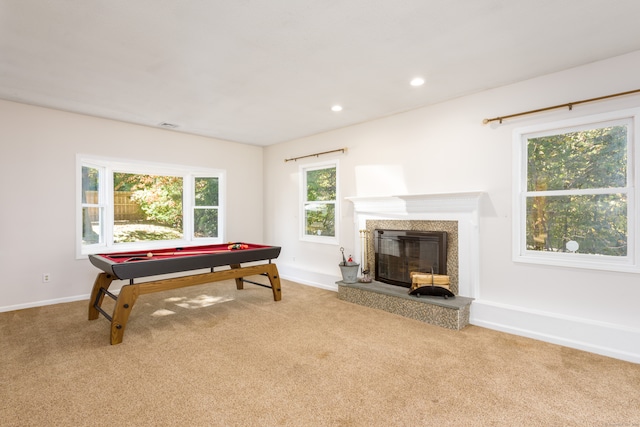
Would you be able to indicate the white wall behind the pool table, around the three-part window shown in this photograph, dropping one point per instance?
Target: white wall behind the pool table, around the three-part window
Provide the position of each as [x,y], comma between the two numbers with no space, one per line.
[38,148]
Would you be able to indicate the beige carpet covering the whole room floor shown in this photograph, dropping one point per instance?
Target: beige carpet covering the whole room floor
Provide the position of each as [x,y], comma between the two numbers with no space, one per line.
[213,356]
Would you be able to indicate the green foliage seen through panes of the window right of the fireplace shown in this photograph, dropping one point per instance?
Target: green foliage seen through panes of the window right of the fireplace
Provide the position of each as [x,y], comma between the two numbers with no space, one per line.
[574,177]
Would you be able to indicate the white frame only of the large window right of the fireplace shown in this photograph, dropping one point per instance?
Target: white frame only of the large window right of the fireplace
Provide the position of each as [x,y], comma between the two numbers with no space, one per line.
[628,263]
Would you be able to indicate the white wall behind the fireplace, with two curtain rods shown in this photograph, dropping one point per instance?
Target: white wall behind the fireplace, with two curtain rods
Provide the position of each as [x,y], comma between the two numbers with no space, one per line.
[446,148]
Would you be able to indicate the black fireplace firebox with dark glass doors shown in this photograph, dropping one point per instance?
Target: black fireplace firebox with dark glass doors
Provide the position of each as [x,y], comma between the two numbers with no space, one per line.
[398,253]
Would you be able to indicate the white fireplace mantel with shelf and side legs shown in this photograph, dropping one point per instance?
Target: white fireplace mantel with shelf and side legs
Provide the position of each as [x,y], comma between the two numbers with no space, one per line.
[460,207]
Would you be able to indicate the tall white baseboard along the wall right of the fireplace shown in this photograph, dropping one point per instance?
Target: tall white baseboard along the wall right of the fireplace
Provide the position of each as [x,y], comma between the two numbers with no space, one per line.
[617,341]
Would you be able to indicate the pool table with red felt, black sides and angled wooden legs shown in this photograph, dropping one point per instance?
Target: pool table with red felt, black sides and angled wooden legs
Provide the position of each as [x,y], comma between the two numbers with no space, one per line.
[134,265]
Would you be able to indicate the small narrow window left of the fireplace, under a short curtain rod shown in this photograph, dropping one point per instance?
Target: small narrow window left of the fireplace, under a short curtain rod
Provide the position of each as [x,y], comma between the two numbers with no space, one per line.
[319,202]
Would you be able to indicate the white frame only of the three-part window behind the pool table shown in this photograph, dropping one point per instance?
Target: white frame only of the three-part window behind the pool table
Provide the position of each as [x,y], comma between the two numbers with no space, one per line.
[108,166]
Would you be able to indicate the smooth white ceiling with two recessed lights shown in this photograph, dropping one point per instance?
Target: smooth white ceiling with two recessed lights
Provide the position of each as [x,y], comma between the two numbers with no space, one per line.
[264,72]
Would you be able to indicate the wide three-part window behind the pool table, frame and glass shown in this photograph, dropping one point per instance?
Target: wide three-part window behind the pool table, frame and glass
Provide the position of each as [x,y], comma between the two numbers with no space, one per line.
[127,205]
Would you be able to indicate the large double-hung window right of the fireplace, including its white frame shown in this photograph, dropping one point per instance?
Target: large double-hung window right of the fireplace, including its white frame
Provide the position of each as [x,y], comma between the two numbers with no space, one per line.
[575,192]
